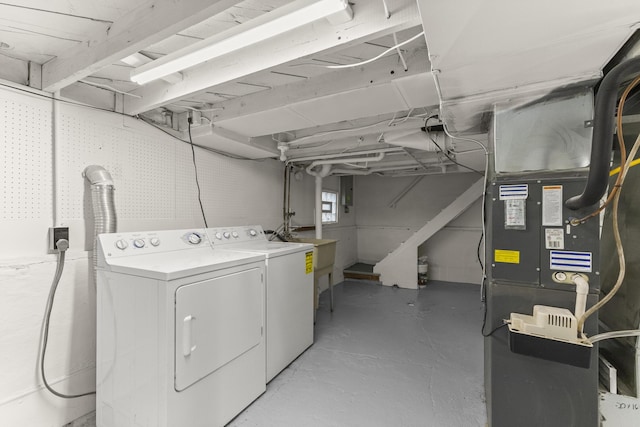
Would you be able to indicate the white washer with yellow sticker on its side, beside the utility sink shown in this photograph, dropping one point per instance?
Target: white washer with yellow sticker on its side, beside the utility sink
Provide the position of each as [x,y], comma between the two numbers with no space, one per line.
[289,291]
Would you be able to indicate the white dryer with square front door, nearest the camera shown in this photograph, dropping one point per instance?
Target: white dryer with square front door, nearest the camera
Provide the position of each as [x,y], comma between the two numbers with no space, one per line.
[180,330]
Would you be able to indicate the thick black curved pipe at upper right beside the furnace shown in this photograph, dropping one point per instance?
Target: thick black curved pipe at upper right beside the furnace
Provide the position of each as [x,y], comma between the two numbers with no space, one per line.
[603,135]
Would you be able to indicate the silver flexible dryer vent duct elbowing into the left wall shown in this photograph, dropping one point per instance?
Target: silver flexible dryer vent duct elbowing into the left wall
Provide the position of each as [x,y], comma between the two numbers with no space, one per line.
[102,201]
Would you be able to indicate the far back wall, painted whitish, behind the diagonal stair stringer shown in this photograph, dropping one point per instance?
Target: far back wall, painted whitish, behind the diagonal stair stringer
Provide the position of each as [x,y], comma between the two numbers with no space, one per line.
[381,229]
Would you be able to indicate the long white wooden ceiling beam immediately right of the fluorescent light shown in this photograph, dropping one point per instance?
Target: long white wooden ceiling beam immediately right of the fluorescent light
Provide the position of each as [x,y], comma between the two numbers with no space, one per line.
[369,23]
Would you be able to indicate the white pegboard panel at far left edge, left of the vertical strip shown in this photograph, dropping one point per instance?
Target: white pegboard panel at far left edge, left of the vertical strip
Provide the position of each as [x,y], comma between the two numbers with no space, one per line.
[25,145]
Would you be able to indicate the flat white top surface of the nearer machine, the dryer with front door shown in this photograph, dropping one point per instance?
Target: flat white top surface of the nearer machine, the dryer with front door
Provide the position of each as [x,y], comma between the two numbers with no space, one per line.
[177,264]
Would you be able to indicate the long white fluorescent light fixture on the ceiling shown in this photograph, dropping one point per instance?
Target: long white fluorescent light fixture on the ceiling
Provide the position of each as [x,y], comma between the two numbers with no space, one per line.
[266,26]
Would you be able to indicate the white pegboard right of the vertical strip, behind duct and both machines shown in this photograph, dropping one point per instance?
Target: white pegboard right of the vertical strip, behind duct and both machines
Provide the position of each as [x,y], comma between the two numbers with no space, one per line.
[154,176]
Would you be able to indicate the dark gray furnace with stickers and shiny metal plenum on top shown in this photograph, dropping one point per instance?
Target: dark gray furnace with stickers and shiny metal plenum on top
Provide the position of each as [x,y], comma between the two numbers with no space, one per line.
[542,271]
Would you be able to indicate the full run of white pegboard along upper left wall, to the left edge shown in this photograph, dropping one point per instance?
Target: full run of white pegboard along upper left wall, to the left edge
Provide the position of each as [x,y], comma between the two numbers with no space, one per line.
[153,173]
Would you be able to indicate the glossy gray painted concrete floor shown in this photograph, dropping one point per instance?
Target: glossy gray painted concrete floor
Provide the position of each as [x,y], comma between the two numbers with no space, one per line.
[385,357]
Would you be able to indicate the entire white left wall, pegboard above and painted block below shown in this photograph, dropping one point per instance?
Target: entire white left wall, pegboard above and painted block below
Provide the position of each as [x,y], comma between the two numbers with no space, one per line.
[155,189]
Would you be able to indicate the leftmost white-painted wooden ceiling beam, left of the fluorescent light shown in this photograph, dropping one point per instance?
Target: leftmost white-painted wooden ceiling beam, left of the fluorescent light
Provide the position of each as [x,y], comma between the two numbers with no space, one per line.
[149,24]
